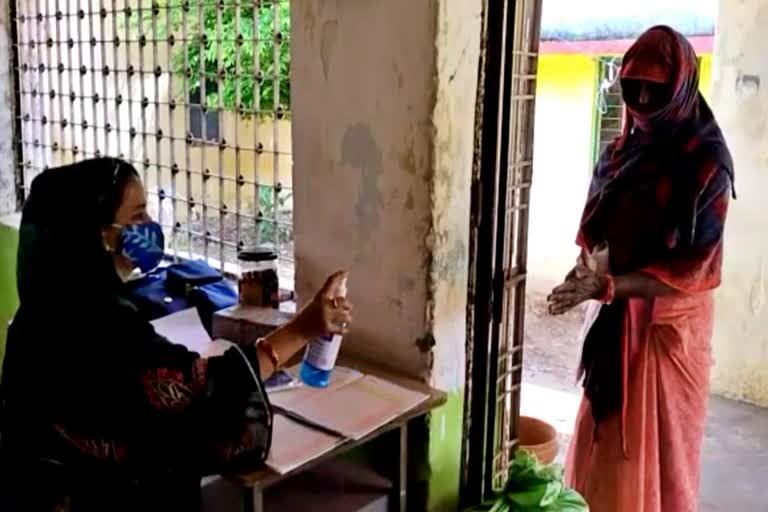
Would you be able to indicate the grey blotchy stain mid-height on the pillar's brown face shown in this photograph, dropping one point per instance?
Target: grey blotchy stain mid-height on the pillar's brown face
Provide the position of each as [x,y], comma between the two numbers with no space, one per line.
[359,149]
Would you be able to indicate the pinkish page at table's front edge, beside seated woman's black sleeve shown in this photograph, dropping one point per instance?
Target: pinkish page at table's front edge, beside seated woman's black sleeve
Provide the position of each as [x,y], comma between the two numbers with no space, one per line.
[294,444]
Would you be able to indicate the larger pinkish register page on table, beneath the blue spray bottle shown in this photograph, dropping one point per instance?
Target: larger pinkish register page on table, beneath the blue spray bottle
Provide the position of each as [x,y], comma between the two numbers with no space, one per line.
[357,408]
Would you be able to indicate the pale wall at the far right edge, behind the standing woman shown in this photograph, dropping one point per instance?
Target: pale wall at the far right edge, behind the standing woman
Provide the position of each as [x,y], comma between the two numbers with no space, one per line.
[740,101]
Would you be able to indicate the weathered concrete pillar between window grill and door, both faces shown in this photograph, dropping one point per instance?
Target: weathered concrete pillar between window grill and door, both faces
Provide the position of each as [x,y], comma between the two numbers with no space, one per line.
[383,122]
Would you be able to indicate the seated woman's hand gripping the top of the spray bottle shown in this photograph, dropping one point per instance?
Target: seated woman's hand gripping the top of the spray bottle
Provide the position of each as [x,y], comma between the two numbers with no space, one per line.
[327,313]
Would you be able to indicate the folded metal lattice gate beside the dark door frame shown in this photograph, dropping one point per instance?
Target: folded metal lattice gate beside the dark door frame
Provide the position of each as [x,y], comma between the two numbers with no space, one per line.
[515,185]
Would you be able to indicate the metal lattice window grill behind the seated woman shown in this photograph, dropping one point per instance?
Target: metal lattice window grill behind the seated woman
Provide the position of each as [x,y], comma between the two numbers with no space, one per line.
[126,78]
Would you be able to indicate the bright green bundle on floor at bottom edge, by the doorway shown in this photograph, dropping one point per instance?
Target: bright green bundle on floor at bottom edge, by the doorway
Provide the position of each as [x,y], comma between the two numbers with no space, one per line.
[534,487]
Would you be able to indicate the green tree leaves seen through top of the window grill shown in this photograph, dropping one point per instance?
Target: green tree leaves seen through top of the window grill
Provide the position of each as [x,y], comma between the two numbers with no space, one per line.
[219,33]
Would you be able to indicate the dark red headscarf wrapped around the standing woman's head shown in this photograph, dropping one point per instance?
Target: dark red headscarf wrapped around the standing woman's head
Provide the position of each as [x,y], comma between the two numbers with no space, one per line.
[665,56]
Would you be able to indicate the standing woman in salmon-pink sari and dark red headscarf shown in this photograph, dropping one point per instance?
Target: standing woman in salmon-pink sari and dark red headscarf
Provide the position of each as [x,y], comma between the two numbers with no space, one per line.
[652,248]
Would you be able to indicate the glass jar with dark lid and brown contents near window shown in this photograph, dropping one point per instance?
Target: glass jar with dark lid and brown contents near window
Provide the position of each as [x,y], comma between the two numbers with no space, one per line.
[258,281]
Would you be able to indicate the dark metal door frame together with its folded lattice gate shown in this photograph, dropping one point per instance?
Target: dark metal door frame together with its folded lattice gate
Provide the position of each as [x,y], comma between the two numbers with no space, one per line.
[501,173]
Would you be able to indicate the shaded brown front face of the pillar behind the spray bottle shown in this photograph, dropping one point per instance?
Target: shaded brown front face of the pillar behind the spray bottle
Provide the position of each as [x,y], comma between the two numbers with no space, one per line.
[362,132]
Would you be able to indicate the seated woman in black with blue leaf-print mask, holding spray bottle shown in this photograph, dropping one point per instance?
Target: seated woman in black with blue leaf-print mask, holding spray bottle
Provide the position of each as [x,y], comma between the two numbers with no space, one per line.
[98,411]
